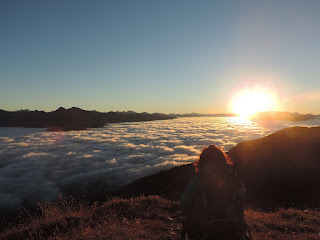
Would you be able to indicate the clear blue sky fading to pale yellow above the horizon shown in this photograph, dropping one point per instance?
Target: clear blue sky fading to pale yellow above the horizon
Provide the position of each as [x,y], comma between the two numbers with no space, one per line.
[158,56]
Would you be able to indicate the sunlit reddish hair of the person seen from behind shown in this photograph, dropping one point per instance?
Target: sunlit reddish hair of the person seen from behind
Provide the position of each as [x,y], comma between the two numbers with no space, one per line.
[209,155]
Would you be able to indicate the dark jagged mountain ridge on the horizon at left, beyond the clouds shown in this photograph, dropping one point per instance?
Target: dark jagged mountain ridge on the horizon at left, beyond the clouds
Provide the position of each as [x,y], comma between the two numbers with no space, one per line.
[71,119]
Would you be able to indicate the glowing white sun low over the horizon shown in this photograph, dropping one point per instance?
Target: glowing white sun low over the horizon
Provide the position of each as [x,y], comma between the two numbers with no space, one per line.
[248,102]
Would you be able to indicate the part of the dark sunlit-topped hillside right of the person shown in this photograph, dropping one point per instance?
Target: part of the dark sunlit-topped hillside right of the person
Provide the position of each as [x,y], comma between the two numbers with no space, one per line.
[282,168]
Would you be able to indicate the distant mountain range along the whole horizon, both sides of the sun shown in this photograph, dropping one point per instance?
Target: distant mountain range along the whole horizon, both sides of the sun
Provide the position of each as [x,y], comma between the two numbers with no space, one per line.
[78,119]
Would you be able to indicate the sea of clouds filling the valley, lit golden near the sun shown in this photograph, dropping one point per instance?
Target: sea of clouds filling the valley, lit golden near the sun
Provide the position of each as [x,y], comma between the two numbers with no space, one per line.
[36,165]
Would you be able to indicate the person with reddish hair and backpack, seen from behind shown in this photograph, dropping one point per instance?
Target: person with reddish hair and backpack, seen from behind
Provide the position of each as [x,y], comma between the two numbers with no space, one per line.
[212,203]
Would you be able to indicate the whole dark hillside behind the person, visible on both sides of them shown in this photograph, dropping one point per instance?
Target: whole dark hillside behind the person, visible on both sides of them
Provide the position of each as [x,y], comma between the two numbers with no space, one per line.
[280,169]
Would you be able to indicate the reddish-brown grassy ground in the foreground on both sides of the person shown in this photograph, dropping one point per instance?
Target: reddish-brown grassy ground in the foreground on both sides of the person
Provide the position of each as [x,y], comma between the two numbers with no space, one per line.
[150,217]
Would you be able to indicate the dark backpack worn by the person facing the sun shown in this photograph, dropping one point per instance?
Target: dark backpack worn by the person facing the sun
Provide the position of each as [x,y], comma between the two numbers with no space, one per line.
[220,210]
